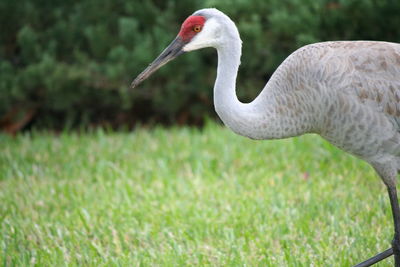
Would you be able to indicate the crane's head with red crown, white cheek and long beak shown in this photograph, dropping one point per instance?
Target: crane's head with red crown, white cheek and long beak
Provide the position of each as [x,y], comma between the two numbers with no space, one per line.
[204,28]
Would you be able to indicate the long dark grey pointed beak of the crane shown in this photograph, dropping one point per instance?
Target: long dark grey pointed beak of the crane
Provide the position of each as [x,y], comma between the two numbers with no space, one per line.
[171,52]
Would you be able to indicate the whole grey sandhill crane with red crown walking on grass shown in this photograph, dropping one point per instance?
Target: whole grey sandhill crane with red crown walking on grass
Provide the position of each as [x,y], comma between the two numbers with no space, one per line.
[348,92]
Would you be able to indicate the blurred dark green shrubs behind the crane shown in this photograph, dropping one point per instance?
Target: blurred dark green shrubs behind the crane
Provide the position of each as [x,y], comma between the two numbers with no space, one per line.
[68,64]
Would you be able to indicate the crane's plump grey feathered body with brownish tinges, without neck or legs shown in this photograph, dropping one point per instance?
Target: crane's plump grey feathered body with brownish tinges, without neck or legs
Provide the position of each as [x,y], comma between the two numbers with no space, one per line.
[348,92]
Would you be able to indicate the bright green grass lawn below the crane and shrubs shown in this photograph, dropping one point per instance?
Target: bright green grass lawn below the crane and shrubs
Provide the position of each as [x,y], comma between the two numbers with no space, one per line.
[186,197]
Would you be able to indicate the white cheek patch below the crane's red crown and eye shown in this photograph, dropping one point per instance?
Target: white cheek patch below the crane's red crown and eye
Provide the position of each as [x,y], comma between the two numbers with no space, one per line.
[206,38]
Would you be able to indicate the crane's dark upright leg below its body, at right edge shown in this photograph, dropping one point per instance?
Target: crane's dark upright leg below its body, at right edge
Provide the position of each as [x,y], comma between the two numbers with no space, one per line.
[396,218]
